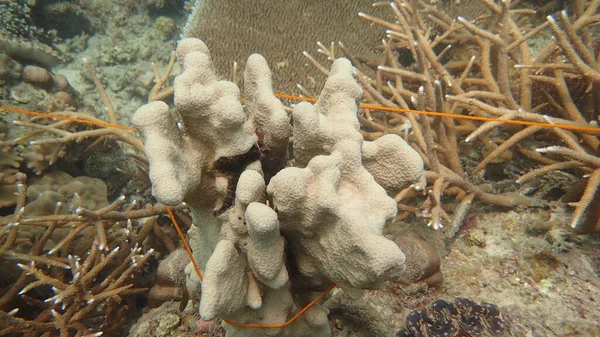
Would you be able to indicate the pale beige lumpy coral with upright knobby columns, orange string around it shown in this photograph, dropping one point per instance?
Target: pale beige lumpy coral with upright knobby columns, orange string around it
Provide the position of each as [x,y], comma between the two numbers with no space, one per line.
[266,246]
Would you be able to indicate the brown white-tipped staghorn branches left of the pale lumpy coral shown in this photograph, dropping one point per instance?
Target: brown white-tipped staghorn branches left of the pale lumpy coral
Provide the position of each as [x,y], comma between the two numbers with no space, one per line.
[80,266]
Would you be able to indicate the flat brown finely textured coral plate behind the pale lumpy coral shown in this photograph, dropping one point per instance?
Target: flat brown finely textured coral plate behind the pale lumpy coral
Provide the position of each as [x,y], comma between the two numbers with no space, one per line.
[233,32]
